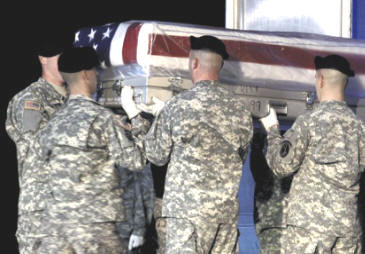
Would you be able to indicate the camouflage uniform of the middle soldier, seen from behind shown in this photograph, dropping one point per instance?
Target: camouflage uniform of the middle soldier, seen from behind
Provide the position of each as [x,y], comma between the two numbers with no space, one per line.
[204,133]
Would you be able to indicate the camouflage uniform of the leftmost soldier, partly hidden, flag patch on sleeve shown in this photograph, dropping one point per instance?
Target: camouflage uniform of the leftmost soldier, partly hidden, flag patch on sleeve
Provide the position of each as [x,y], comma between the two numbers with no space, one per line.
[29,111]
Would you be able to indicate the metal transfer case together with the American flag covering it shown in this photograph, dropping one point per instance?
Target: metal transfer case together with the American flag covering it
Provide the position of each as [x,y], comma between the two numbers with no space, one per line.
[264,68]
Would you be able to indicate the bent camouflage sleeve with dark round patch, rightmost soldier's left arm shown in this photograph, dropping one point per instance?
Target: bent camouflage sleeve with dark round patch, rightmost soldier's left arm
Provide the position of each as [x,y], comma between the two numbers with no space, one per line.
[285,153]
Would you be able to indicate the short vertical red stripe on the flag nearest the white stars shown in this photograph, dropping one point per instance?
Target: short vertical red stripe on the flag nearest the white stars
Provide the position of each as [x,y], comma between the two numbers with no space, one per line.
[129,51]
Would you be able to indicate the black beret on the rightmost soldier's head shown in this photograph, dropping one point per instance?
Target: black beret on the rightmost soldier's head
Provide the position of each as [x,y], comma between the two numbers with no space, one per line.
[335,62]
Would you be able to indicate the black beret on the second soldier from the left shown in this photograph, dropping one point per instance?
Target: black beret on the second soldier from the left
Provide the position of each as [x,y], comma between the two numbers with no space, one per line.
[78,59]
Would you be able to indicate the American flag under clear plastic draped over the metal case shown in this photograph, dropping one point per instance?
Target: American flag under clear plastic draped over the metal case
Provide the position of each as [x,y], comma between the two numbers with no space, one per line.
[277,60]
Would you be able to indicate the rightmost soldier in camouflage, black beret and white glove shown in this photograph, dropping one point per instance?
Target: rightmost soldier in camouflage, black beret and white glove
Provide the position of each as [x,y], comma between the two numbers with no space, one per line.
[325,150]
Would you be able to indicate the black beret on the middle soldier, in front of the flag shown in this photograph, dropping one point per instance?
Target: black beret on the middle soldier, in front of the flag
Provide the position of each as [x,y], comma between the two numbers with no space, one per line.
[210,43]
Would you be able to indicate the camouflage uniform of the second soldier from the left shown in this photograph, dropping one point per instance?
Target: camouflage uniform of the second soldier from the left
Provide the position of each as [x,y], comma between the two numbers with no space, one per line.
[83,144]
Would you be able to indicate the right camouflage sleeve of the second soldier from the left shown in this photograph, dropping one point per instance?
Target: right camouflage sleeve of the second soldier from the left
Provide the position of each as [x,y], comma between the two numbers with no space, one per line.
[124,150]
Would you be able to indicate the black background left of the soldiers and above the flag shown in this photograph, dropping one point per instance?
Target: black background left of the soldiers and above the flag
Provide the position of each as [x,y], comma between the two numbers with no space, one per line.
[23,23]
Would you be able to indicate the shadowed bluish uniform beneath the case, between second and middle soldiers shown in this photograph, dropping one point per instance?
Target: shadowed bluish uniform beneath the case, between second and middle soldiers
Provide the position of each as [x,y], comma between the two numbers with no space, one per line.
[138,201]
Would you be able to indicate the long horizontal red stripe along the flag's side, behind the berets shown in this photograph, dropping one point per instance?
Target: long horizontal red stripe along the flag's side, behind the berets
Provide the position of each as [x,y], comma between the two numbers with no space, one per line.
[253,52]
